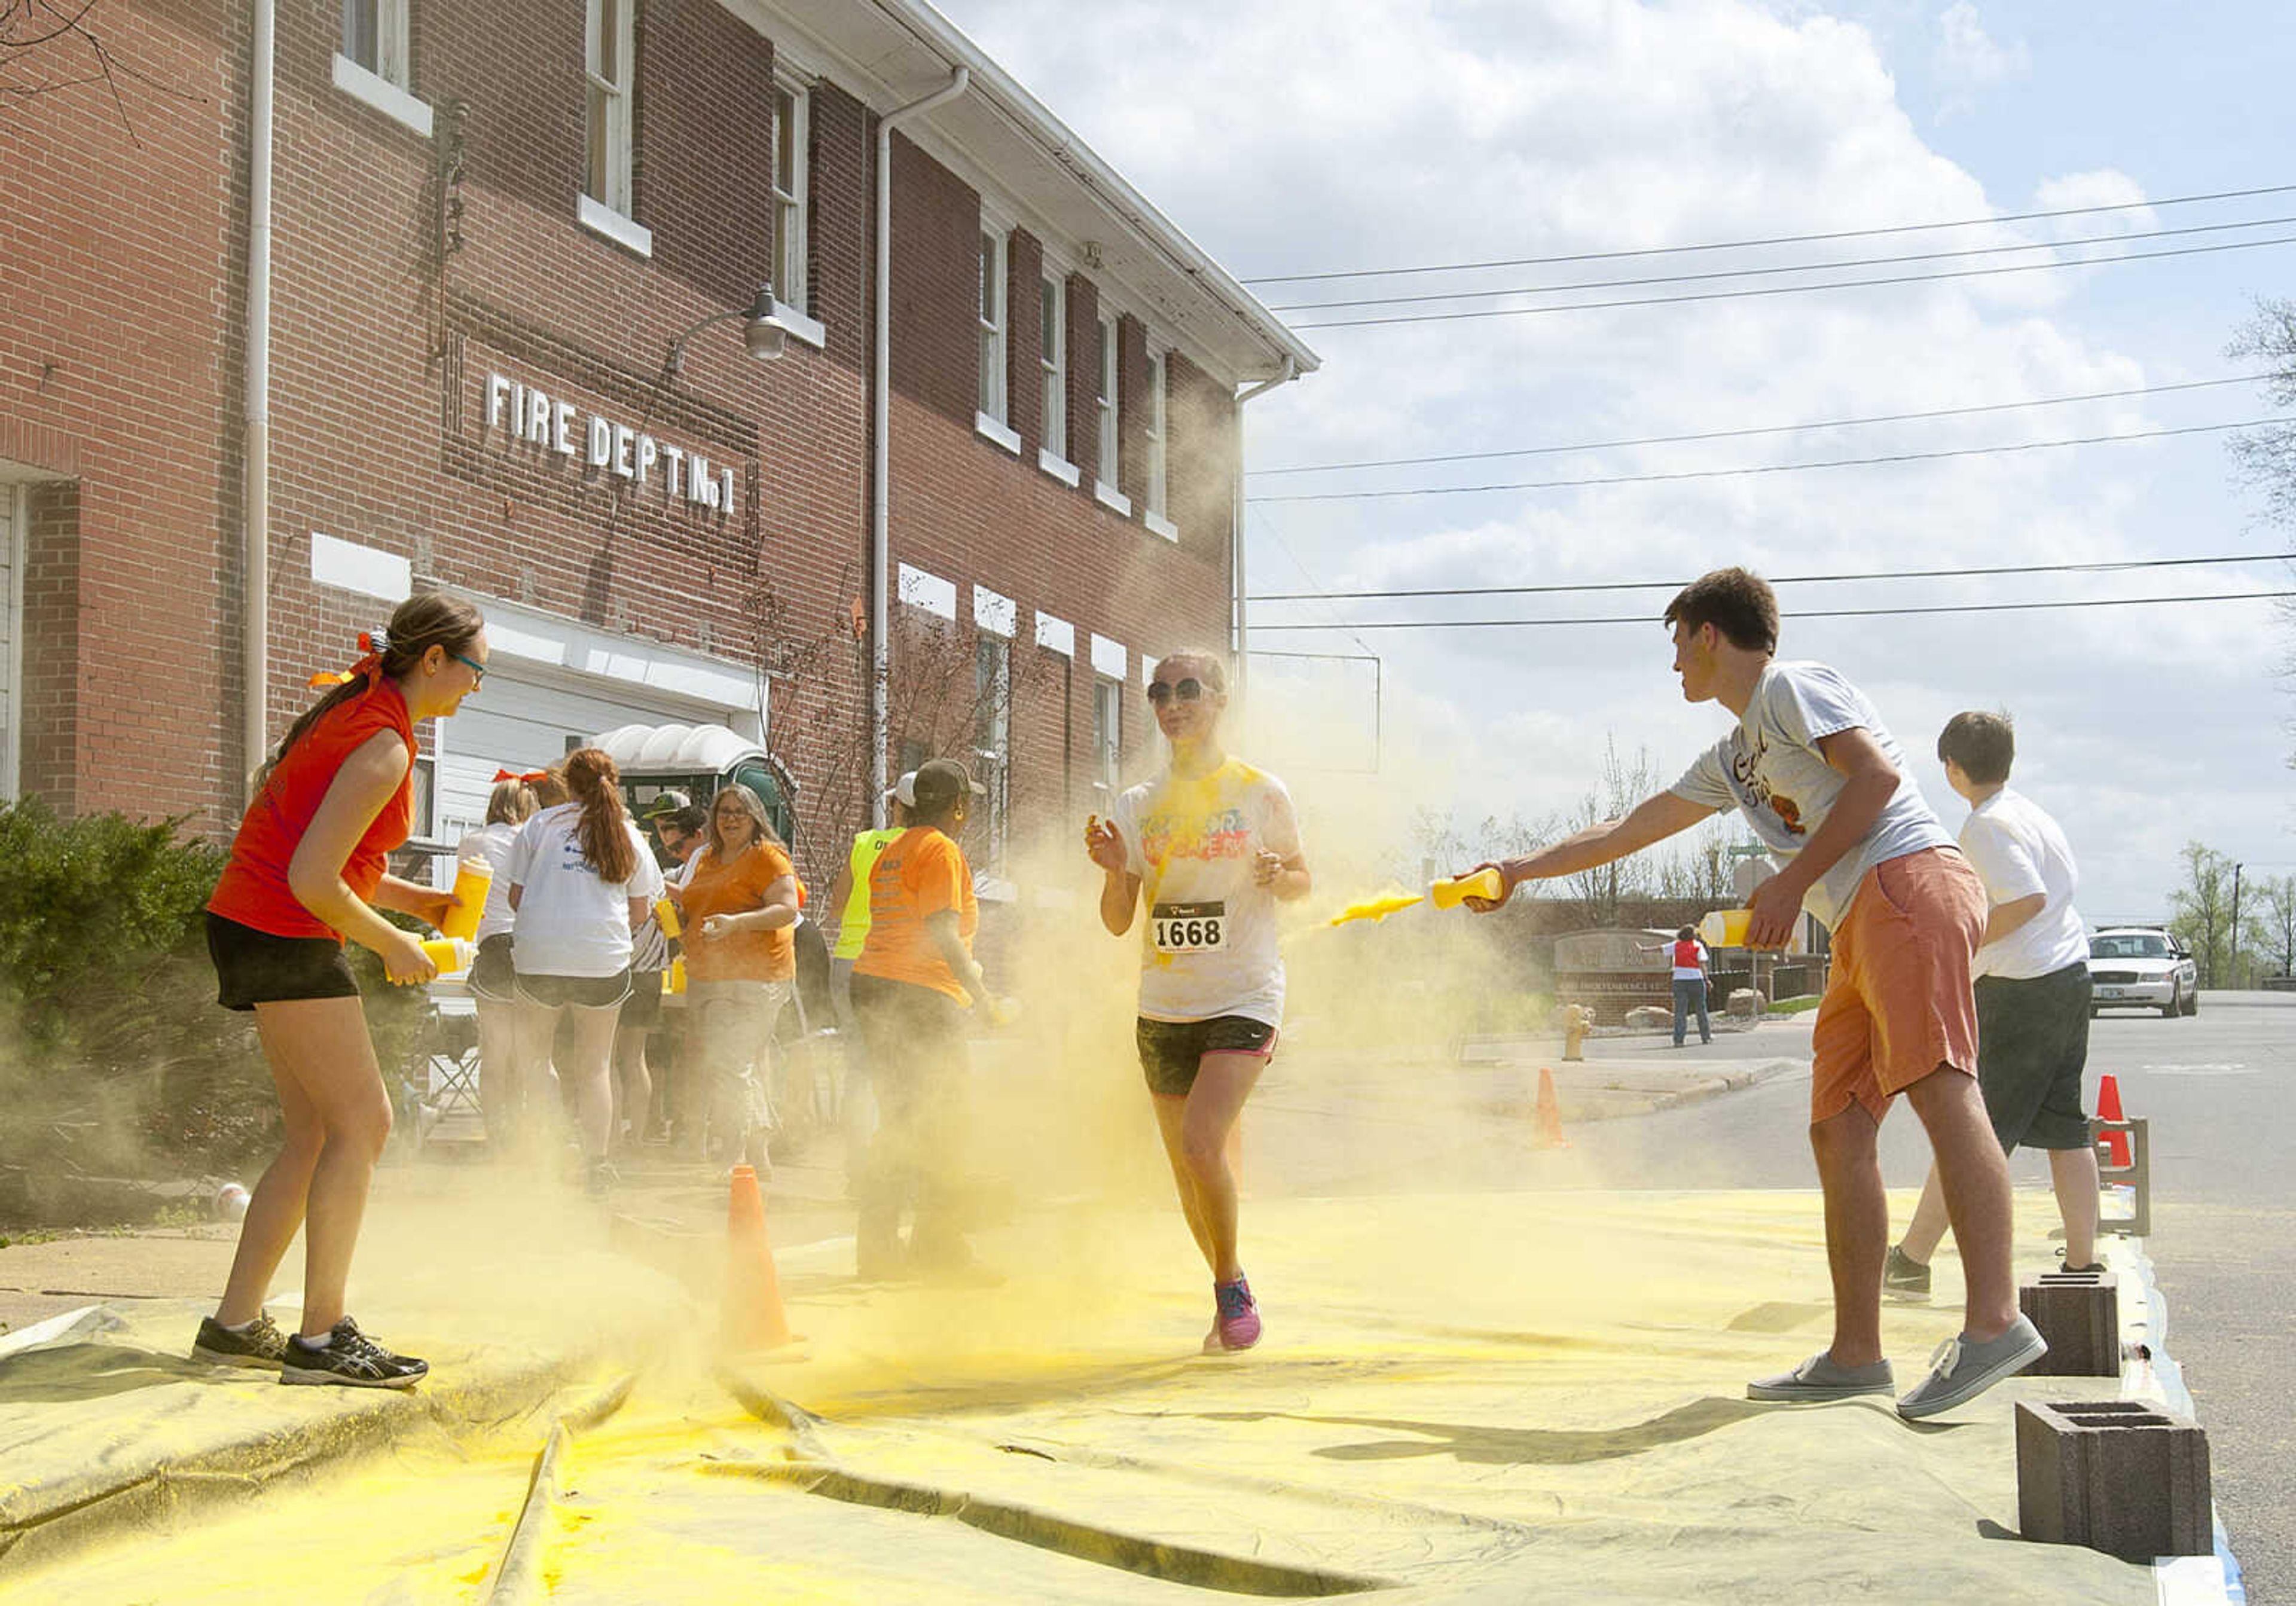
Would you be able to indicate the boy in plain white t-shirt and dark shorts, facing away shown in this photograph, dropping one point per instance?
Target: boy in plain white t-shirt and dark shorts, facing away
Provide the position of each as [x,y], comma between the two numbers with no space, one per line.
[2033,996]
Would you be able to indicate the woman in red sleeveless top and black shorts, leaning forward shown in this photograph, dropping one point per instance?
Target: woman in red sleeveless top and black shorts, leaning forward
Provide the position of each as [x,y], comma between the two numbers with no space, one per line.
[307,872]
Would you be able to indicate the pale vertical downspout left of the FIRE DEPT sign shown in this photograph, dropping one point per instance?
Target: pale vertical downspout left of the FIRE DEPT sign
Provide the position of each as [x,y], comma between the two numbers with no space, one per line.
[256,493]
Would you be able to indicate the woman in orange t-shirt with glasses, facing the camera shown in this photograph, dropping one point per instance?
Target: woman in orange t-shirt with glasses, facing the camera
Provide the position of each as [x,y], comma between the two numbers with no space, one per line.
[740,899]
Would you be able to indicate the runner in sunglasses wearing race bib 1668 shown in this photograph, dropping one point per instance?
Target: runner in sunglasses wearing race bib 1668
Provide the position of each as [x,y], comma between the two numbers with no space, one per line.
[1207,849]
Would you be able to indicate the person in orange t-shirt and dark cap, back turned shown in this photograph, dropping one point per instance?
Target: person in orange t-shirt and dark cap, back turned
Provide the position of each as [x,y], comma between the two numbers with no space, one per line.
[913,985]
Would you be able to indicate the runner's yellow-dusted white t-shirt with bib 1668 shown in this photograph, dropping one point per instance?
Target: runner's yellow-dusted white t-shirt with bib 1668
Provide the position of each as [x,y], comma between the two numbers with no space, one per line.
[1209,941]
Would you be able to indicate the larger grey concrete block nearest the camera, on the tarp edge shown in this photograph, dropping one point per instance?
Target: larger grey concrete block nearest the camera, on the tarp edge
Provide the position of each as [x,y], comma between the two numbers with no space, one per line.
[2113,1476]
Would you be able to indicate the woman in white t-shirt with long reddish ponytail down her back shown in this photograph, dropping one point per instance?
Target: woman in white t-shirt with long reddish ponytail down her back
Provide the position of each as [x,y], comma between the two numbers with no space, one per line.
[580,883]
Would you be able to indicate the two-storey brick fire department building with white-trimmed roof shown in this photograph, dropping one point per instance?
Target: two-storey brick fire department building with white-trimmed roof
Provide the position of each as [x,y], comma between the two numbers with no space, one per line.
[481,362]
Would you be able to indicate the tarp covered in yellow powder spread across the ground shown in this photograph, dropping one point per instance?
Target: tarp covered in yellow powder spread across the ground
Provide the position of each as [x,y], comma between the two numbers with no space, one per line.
[1459,1398]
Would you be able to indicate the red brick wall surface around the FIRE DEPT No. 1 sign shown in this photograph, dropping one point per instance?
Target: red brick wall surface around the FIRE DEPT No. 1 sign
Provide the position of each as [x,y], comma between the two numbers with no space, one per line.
[123,346]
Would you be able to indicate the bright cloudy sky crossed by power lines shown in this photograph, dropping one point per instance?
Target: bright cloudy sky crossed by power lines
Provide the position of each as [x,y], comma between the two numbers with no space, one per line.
[1317,137]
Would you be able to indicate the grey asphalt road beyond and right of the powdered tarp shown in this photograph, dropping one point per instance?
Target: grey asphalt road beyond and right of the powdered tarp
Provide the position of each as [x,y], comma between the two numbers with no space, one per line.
[2217,1090]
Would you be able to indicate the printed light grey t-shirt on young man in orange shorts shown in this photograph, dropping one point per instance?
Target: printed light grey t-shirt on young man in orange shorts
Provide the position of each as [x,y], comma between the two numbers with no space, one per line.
[1774,773]
